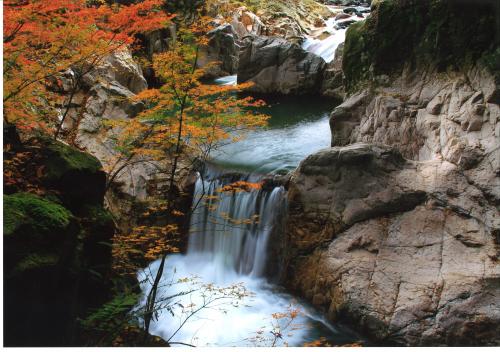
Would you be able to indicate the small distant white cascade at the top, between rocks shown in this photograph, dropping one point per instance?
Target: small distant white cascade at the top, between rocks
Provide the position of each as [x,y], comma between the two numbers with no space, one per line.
[326,47]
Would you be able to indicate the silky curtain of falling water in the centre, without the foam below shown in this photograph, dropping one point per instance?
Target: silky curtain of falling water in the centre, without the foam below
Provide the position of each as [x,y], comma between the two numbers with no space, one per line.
[232,229]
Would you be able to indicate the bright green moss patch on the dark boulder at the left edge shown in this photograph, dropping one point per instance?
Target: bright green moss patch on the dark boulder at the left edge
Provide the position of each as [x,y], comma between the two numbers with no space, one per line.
[28,212]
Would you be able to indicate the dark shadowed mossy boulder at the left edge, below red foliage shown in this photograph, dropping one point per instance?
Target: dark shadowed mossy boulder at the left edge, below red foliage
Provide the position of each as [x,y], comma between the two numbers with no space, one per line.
[56,244]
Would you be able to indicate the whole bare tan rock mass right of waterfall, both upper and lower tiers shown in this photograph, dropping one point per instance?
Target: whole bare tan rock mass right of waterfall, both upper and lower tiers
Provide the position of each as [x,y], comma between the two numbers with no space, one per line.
[396,227]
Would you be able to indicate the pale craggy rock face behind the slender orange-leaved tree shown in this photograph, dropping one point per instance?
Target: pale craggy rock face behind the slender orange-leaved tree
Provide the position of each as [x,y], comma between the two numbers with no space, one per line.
[106,95]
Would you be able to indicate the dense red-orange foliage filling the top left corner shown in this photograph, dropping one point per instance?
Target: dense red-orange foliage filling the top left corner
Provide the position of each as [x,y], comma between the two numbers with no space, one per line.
[44,38]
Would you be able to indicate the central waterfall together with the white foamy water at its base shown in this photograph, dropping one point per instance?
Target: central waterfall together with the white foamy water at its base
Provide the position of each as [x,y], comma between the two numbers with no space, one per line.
[223,254]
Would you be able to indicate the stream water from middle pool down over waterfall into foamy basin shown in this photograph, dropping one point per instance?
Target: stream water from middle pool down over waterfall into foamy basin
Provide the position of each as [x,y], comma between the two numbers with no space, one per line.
[217,294]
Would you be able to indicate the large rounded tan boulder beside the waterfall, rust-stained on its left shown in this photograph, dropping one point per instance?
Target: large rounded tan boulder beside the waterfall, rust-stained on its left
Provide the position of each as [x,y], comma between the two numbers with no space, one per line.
[406,251]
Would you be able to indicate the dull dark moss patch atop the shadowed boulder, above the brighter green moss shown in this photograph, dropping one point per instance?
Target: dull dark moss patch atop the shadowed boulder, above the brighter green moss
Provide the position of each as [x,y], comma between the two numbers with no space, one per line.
[63,159]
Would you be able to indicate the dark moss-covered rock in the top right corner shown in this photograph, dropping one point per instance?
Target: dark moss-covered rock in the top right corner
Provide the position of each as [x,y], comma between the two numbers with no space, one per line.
[442,33]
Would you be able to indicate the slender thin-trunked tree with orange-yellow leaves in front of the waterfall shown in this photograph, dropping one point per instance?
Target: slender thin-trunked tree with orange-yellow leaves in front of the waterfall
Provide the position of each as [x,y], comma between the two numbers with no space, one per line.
[184,121]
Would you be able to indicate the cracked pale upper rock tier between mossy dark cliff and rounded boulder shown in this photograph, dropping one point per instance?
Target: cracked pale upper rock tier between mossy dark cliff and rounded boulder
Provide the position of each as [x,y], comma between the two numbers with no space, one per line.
[454,118]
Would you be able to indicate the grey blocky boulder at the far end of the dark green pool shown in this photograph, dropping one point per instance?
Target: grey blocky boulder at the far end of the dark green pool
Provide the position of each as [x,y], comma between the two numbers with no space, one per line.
[275,65]
